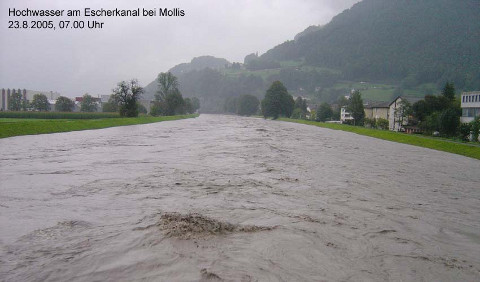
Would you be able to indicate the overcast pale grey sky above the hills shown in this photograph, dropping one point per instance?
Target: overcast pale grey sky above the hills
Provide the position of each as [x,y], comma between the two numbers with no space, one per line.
[74,61]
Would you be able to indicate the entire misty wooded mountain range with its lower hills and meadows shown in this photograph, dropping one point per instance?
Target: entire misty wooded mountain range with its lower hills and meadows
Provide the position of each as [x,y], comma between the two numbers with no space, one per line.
[411,46]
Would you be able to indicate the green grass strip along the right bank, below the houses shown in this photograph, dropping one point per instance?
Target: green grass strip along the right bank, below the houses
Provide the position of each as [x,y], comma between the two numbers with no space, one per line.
[468,150]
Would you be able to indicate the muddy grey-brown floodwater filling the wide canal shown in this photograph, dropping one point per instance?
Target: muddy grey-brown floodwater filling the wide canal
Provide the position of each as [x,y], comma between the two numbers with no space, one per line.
[260,201]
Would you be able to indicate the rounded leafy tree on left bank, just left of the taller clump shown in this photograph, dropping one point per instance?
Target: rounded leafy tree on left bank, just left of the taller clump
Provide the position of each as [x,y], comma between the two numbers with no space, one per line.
[128,93]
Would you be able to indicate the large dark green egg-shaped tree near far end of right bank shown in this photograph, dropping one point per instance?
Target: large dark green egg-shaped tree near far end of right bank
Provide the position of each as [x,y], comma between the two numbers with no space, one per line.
[277,101]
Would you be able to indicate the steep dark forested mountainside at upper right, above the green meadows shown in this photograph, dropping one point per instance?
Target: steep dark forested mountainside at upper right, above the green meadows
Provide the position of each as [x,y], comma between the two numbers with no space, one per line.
[417,41]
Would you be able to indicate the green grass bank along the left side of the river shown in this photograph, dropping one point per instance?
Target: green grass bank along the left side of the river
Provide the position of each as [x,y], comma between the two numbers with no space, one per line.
[17,127]
